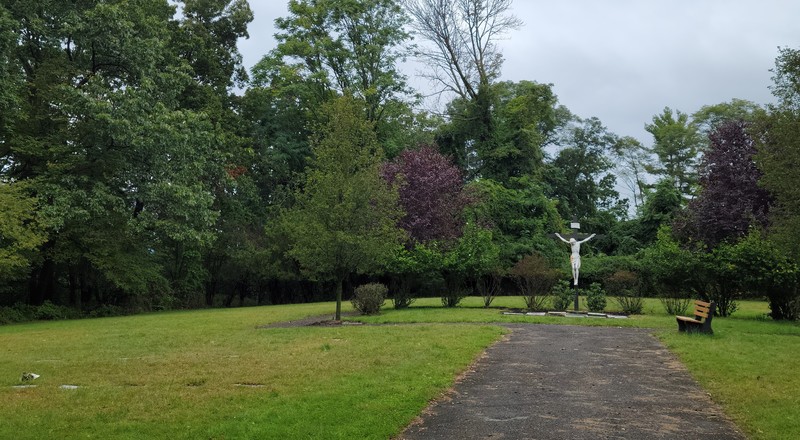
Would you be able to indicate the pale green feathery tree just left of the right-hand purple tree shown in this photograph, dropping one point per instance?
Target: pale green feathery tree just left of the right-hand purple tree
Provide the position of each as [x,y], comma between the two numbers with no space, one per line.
[677,142]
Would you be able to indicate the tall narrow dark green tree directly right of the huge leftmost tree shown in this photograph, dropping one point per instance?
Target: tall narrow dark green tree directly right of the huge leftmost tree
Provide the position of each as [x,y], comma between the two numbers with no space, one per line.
[205,36]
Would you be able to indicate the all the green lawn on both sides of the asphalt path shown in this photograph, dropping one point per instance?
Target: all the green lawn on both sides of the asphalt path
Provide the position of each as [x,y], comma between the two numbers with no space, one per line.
[214,374]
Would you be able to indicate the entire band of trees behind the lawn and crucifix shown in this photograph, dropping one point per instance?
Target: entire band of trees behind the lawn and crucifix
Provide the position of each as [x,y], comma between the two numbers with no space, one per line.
[143,167]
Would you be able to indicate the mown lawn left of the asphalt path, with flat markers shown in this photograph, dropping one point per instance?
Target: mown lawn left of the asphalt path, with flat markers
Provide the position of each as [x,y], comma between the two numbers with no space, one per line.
[214,374]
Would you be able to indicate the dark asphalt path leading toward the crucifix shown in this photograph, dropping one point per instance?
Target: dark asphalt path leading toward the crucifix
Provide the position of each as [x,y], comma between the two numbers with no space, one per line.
[568,382]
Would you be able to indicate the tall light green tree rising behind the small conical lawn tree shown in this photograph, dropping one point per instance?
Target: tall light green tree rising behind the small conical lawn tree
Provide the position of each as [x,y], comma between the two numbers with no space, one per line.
[325,48]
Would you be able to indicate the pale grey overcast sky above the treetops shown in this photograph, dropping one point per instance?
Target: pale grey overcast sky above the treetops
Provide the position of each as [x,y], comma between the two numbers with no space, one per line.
[623,61]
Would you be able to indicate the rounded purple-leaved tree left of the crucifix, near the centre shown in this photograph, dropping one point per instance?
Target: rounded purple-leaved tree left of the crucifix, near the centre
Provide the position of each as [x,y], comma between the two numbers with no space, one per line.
[431,194]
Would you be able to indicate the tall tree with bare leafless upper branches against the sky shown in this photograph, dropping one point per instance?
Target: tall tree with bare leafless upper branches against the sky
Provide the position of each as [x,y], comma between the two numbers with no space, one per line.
[465,62]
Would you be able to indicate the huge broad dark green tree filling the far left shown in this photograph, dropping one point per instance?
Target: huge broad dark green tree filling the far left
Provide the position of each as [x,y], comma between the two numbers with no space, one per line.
[120,151]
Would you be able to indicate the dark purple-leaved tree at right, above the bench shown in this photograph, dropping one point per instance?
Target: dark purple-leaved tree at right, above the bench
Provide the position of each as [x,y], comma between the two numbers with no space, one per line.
[730,200]
